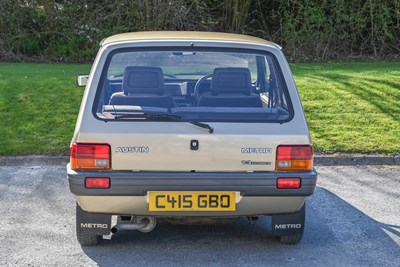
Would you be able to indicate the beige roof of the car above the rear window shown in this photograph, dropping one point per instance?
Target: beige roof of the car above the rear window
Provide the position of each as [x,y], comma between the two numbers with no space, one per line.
[184,35]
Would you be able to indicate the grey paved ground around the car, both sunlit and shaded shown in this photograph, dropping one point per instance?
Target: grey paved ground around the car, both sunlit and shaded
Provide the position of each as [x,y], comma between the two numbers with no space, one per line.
[352,219]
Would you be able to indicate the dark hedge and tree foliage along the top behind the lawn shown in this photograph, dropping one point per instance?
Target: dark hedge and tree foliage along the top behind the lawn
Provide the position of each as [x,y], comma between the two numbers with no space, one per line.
[70,30]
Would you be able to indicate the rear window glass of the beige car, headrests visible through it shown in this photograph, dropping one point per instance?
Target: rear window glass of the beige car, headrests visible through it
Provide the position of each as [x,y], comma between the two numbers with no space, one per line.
[202,85]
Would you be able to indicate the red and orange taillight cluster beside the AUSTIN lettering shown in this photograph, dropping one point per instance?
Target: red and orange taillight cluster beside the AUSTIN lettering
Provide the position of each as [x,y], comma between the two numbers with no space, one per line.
[90,156]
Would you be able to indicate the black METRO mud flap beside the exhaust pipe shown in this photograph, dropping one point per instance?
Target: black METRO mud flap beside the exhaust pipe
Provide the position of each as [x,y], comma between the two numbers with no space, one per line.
[93,223]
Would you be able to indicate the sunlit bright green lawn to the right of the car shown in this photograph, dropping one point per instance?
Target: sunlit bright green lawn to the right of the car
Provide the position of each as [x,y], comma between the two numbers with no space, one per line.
[352,107]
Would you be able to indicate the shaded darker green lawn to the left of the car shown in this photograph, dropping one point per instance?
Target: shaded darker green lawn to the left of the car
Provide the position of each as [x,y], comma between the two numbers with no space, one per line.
[39,104]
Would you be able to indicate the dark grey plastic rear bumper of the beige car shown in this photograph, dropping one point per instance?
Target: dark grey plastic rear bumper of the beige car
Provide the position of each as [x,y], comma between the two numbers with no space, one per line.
[139,183]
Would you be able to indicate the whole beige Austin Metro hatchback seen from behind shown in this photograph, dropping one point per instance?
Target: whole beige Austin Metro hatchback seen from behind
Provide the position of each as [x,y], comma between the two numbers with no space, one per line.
[189,126]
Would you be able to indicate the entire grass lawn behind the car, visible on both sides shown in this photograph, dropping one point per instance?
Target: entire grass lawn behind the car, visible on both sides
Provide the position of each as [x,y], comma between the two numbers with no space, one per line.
[350,107]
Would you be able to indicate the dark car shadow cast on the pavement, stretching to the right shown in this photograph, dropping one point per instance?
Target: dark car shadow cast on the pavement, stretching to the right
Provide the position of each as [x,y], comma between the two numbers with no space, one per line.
[336,234]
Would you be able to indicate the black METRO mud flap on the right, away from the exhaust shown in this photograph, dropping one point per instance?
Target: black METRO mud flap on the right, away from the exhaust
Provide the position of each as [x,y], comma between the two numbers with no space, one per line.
[289,224]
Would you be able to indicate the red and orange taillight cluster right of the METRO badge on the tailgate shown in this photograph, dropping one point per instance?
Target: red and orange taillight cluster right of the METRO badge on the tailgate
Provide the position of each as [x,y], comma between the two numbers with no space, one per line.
[294,158]
